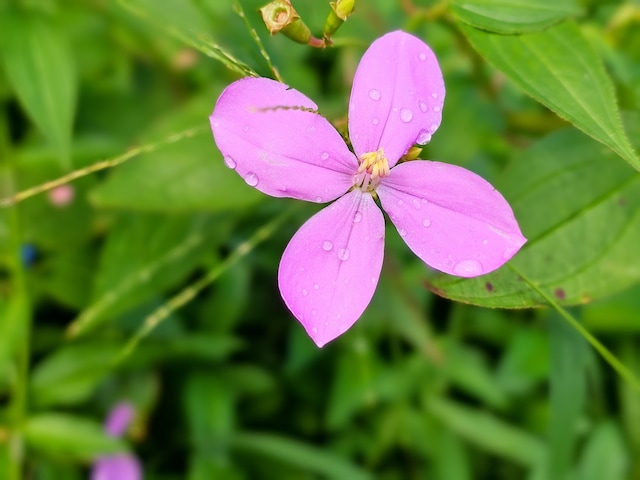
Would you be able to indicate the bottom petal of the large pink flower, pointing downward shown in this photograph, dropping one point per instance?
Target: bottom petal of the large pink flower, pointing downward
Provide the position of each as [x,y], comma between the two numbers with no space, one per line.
[331,267]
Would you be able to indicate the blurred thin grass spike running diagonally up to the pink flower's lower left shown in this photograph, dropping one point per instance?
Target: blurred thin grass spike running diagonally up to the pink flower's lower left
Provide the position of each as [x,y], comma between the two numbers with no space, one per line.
[189,293]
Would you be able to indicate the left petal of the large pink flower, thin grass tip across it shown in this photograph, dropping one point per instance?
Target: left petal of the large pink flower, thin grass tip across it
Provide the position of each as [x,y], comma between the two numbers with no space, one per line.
[267,133]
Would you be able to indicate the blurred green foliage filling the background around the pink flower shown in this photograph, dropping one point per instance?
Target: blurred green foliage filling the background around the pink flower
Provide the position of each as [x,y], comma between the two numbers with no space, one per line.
[154,281]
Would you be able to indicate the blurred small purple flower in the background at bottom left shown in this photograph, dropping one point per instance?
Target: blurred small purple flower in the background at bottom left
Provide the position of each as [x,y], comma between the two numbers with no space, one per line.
[123,466]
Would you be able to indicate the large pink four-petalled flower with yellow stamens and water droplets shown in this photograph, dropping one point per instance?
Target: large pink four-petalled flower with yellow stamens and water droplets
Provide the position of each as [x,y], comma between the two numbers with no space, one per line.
[451,218]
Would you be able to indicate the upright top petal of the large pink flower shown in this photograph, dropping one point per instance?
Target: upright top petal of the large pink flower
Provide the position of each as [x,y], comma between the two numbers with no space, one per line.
[397,96]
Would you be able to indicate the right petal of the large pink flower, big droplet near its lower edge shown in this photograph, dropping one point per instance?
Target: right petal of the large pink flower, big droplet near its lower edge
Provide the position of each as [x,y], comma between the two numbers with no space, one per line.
[451,218]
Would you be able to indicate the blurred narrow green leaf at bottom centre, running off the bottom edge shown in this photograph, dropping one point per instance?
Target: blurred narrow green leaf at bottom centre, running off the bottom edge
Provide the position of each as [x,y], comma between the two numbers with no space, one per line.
[306,457]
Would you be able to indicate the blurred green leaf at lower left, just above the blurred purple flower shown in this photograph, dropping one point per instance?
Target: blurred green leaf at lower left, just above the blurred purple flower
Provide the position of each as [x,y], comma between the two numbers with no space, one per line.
[69,436]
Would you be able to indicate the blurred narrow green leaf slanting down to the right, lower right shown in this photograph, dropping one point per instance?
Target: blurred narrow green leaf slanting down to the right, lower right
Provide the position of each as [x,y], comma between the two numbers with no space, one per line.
[489,432]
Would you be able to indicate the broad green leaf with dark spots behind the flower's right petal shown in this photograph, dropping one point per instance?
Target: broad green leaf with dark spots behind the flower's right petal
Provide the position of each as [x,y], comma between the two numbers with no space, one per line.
[580,210]
